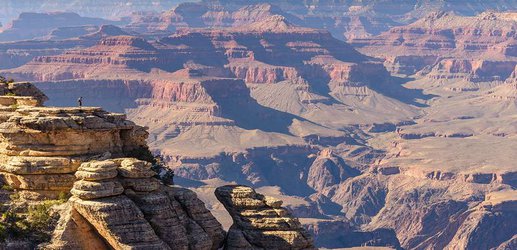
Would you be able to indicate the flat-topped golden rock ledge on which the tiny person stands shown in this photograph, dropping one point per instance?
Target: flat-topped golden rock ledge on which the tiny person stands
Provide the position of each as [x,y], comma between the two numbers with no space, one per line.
[42,147]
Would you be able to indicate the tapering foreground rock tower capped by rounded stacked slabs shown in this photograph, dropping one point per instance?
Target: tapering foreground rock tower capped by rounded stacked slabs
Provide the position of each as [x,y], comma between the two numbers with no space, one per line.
[128,208]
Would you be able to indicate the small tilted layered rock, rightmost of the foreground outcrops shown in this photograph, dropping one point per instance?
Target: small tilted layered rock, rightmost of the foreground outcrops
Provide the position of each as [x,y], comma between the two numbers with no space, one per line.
[260,222]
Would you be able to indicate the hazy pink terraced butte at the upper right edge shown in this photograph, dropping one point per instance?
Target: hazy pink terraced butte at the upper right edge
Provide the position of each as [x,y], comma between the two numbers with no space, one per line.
[444,46]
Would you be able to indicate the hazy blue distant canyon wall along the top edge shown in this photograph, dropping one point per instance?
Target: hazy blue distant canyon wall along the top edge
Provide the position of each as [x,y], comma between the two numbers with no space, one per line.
[345,20]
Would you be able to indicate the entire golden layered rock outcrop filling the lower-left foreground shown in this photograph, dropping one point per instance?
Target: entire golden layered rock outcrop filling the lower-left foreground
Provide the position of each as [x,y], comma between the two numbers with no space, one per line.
[116,200]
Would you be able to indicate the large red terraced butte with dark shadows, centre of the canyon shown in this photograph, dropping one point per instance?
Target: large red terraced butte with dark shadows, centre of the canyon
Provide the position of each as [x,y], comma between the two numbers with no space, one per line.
[214,79]
